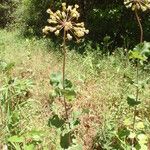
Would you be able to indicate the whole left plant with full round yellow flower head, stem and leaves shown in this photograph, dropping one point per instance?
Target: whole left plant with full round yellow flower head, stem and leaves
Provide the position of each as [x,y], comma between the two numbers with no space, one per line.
[64,23]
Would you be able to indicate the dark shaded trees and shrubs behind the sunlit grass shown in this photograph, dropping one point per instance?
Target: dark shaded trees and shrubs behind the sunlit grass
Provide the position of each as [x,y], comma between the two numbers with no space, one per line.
[30,16]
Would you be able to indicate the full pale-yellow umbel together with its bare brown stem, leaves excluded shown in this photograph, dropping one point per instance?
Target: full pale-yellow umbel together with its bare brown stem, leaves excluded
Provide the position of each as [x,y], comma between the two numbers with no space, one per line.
[65,23]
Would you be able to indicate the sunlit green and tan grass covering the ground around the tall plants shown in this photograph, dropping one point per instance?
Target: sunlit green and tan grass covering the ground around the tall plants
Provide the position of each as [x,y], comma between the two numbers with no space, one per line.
[99,81]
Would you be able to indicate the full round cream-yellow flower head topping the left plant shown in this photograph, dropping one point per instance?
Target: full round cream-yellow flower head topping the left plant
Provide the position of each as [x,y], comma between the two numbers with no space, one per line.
[66,20]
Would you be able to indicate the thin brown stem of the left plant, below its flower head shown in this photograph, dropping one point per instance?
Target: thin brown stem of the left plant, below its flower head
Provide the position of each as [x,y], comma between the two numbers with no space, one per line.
[63,72]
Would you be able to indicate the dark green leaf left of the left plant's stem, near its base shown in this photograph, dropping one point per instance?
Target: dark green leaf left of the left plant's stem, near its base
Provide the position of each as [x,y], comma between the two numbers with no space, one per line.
[56,121]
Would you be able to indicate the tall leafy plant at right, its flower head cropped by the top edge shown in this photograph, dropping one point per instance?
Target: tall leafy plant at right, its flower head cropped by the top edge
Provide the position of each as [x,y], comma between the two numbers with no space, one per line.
[136,137]
